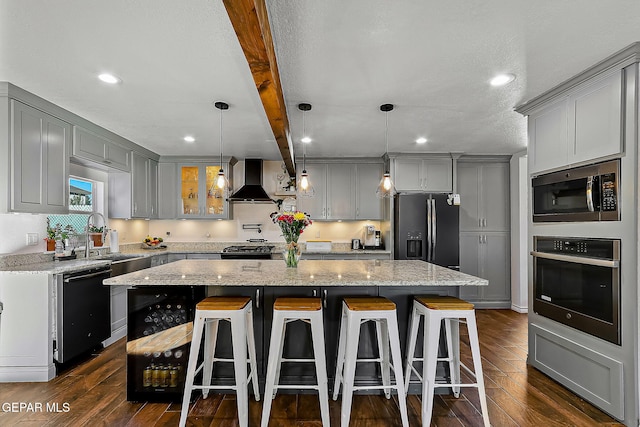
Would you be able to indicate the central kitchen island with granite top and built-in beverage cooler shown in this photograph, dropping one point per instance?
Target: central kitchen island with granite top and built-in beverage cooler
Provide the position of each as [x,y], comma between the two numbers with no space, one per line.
[264,281]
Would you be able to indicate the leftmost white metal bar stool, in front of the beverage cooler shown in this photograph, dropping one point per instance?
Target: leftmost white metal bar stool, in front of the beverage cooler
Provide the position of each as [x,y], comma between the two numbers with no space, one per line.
[237,311]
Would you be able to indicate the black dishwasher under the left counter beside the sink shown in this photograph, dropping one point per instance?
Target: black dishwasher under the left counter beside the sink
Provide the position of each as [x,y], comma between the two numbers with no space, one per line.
[83,318]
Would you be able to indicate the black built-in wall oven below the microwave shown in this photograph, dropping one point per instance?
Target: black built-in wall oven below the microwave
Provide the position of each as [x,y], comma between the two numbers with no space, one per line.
[577,283]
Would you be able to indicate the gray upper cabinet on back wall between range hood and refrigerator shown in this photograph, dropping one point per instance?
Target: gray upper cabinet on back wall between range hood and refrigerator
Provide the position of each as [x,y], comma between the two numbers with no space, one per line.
[343,191]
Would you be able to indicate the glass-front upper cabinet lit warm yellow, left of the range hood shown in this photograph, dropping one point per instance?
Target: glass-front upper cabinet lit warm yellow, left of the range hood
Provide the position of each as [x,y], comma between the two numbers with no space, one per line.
[195,185]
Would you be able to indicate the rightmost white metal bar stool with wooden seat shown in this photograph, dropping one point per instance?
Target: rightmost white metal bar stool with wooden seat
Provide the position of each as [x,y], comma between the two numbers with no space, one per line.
[450,309]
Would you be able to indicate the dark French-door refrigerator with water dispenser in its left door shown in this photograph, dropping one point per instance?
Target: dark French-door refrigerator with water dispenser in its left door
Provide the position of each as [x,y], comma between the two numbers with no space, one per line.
[426,228]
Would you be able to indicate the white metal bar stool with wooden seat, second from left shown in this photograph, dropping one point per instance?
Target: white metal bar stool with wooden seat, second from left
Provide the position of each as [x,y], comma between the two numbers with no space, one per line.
[286,310]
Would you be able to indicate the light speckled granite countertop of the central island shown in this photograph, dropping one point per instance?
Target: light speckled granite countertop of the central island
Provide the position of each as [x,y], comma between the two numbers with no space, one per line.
[308,273]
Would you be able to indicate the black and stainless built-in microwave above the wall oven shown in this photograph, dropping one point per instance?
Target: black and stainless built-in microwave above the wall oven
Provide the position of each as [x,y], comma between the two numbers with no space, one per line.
[588,193]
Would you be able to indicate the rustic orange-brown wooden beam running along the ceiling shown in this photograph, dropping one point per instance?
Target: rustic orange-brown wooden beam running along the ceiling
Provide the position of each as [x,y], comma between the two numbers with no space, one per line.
[251,23]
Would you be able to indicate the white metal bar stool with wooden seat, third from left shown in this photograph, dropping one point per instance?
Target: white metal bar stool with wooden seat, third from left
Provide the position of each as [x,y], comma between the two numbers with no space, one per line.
[355,312]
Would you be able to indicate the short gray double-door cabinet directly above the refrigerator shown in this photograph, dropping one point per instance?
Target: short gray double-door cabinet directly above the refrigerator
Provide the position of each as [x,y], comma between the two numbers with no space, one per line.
[423,174]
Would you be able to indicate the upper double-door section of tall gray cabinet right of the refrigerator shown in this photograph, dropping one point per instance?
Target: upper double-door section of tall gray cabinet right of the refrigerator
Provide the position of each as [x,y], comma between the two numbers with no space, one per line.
[484,196]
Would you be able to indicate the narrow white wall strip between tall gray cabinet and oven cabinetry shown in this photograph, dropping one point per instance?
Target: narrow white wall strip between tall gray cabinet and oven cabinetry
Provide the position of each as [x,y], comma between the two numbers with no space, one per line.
[519,220]
